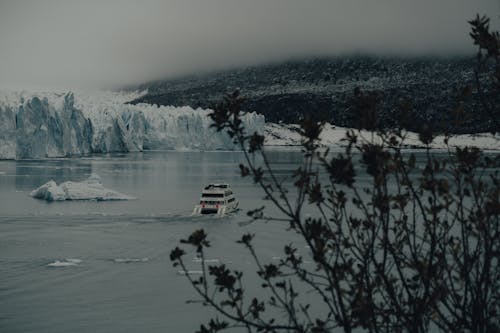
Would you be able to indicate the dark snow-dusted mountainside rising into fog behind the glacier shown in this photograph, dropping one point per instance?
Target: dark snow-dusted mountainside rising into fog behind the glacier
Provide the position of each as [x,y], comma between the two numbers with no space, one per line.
[426,90]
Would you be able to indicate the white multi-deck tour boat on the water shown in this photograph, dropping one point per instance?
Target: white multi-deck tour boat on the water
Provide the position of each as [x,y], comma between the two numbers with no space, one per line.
[216,199]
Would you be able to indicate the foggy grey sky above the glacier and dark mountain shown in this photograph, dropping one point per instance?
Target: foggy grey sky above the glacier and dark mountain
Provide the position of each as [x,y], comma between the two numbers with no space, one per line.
[89,43]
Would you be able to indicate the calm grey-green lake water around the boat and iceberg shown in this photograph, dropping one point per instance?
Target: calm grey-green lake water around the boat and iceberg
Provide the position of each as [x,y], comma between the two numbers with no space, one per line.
[118,277]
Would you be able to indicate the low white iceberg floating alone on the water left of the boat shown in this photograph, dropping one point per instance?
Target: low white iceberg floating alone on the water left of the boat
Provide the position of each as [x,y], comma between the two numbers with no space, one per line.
[89,189]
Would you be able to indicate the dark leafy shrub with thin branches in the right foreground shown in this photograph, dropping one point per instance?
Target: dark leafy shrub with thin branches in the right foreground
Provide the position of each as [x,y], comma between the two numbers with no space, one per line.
[415,250]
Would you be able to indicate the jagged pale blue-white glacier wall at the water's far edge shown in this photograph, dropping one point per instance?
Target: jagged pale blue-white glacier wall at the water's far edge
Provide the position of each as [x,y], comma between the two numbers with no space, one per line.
[65,124]
